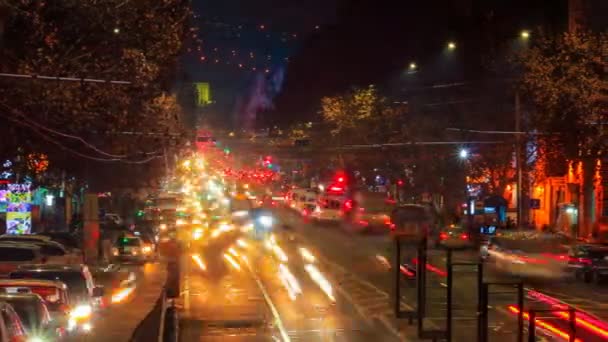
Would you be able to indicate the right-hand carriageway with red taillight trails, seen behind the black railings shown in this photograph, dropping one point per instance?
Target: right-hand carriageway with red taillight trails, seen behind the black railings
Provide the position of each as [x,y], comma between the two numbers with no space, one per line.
[360,264]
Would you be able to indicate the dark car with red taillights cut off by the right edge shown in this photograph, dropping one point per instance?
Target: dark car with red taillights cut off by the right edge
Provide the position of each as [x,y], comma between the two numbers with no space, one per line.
[589,262]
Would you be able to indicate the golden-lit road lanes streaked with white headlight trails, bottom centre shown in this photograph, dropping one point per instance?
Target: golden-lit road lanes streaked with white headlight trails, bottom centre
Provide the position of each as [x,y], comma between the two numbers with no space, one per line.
[243,290]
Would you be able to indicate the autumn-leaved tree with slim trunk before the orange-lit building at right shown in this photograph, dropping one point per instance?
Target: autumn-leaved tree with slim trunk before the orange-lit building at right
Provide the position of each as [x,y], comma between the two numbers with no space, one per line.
[566,79]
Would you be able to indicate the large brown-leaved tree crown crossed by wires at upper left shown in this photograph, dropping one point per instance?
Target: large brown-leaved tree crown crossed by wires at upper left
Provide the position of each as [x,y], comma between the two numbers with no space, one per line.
[131,41]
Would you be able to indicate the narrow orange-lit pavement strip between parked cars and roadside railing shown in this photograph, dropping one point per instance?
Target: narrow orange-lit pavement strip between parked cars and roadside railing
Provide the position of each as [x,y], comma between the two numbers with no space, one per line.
[119,322]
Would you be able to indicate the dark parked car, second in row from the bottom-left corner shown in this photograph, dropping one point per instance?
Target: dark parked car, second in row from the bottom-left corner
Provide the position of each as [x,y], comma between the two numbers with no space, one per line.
[34,315]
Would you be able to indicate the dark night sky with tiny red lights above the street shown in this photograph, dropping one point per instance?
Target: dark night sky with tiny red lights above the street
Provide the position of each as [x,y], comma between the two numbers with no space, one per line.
[308,49]
